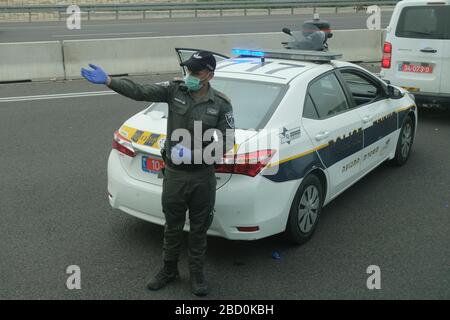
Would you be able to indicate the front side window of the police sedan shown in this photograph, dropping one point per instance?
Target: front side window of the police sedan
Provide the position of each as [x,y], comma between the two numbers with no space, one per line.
[363,90]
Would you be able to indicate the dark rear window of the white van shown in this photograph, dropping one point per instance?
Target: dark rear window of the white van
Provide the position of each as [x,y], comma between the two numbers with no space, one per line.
[424,22]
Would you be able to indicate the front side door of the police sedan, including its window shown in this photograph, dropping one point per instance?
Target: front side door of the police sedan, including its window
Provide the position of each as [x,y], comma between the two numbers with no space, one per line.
[379,121]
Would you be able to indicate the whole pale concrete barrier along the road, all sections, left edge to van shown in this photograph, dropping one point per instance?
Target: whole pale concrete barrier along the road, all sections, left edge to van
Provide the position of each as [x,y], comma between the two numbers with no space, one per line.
[53,60]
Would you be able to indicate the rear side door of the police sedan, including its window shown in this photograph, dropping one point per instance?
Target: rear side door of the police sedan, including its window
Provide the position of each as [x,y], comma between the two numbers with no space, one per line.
[334,129]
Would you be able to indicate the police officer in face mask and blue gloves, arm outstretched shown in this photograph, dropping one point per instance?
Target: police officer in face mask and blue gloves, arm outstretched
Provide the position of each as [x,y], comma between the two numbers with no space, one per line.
[189,182]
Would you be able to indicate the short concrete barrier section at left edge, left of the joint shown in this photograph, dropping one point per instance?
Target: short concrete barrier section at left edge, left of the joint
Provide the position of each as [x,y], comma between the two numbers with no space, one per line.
[31,61]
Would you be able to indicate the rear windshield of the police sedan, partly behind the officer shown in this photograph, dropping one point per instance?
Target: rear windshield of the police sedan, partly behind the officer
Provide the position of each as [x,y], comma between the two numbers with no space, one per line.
[253,101]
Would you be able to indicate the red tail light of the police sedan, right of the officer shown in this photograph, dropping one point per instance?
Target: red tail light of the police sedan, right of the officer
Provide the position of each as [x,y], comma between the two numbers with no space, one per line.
[249,164]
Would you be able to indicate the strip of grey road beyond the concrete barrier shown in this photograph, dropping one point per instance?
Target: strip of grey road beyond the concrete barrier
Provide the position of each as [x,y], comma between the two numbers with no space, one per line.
[51,31]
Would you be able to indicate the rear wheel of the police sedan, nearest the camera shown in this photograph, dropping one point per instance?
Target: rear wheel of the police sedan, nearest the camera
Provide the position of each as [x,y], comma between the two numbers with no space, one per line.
[305,211]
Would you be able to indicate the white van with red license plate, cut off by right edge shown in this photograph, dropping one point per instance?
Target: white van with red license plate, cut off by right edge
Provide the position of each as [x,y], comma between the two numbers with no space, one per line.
[417,50]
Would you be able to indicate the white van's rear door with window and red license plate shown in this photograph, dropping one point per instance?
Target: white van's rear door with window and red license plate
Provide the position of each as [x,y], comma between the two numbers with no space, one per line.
[418,46]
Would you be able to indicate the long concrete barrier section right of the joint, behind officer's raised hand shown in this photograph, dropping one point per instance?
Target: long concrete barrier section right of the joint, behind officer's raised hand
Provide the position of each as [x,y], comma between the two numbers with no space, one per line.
[157,55]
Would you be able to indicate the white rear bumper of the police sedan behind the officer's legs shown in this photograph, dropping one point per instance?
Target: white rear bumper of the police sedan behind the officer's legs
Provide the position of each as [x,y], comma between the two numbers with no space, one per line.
[242,202]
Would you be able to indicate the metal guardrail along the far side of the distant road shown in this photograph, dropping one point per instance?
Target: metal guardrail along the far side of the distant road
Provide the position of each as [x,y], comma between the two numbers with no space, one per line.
[195,6]
